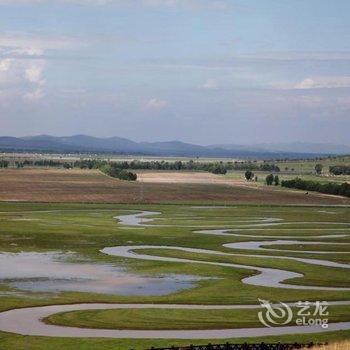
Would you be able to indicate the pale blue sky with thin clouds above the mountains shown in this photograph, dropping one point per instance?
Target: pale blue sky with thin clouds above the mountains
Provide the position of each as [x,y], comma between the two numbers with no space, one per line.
[200,71]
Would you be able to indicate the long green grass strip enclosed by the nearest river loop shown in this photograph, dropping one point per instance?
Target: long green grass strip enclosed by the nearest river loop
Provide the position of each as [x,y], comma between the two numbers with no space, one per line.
[171,318]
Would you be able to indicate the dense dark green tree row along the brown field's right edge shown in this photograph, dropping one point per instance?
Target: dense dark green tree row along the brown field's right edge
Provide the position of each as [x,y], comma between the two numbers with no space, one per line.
[328,187]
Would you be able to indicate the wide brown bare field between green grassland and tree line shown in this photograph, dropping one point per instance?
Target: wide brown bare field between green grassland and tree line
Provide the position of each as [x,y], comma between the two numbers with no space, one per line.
[59,185]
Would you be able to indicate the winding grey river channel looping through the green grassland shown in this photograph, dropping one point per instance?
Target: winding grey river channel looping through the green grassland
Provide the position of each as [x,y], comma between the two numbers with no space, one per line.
[28,321]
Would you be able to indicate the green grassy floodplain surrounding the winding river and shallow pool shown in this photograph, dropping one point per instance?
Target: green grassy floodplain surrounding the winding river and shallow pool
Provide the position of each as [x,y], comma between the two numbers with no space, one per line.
[87,228]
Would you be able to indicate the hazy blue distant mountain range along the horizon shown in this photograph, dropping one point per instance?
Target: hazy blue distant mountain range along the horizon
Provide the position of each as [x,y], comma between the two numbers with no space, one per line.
[119,145]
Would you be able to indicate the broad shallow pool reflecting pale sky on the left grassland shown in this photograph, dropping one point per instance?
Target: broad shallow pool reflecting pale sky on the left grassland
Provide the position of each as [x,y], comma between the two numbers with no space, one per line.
[52,272]
